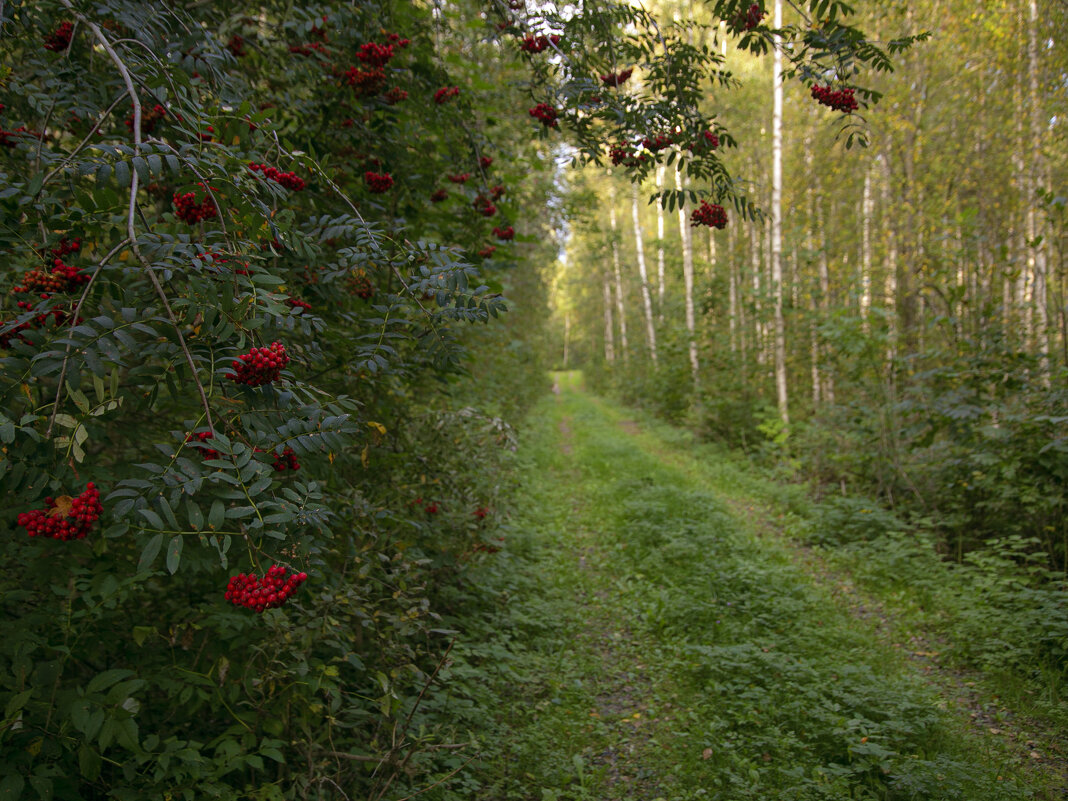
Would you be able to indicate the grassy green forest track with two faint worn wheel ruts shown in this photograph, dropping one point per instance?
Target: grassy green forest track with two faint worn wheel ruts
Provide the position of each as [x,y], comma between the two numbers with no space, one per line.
[666,642]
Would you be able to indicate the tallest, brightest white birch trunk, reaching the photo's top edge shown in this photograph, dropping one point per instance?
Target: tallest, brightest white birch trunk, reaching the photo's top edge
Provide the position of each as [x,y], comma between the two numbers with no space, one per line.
[777,218]
